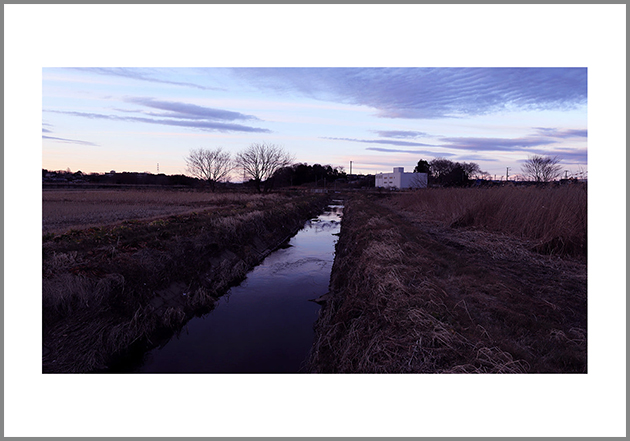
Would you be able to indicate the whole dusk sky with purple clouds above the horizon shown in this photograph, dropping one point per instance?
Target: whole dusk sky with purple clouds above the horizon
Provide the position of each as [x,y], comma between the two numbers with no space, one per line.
[99,119]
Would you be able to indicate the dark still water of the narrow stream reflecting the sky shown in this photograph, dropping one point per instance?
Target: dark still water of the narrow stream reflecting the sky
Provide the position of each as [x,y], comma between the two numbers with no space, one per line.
[266,323]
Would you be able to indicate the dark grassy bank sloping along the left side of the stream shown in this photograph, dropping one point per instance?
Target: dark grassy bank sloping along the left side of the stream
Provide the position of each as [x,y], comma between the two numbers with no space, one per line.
[111,286]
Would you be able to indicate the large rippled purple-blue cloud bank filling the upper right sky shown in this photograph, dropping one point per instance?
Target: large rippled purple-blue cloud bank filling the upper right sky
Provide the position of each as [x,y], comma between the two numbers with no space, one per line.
[431,92]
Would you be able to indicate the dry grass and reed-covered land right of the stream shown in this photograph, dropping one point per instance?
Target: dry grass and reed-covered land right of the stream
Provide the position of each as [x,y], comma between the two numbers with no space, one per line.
[414,288]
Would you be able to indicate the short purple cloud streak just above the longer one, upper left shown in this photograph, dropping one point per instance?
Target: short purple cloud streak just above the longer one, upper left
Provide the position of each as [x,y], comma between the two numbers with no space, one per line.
[188,111]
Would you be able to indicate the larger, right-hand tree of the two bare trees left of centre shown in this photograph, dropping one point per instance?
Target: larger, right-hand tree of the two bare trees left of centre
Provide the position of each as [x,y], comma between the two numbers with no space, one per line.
[260,161]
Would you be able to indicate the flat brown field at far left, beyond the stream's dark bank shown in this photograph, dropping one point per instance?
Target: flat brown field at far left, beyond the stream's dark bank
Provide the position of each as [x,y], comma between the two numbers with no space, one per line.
[75,209]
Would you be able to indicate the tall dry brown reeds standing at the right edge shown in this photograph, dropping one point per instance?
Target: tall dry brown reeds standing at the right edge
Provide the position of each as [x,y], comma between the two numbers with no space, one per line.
[554,219]
